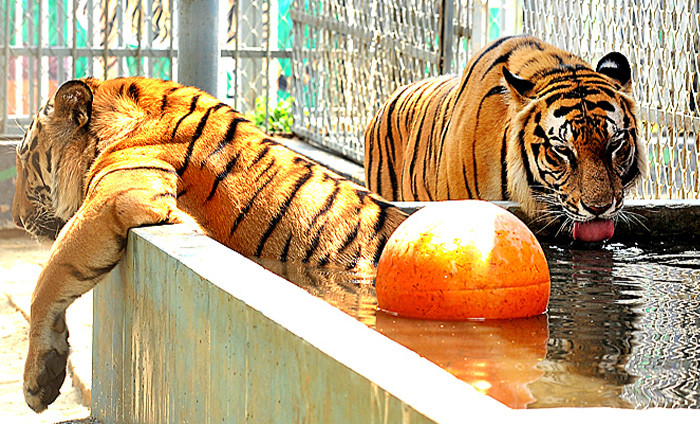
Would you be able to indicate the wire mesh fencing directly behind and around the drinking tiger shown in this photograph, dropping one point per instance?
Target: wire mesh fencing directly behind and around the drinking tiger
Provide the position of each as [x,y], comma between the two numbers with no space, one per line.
[351,55]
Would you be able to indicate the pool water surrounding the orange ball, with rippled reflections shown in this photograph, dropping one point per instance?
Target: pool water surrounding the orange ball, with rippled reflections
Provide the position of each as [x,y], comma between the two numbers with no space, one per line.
[622,330]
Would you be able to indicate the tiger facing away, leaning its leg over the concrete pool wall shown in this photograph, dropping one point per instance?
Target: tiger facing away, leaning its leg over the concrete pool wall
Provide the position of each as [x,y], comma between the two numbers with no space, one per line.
[101,157]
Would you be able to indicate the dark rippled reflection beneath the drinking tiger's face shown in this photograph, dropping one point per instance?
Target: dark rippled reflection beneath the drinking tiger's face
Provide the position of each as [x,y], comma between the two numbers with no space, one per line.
[591,321]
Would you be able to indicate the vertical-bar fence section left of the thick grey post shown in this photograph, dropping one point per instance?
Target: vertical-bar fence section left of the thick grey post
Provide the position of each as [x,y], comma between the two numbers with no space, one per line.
[47,42]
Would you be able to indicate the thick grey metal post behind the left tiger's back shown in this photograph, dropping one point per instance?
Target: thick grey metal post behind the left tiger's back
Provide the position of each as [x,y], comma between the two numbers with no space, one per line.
[198,44]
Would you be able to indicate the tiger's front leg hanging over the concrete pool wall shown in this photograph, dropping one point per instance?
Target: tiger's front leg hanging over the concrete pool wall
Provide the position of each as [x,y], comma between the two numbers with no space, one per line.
[90,245]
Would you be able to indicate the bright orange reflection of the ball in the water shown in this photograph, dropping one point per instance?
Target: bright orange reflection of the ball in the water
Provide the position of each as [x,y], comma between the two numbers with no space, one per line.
[498,357]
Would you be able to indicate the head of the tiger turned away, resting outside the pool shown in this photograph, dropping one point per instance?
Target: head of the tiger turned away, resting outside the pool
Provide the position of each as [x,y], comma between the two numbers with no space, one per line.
[51,159]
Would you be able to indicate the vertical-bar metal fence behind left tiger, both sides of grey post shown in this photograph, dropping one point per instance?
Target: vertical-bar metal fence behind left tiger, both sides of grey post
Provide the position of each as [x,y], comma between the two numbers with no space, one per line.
[46,42]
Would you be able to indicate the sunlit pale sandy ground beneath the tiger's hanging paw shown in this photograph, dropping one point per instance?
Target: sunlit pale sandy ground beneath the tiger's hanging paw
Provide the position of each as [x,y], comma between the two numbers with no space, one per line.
[21,259]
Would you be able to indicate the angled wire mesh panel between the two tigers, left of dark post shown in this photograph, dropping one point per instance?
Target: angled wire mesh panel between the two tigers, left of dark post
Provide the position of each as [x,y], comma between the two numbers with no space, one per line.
[348,55]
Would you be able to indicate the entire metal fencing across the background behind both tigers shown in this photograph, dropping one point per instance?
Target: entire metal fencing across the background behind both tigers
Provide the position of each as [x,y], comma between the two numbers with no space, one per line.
[341,59]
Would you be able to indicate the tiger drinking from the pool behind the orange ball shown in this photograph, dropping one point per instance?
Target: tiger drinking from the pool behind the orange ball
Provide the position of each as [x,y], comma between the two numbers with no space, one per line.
[526,122]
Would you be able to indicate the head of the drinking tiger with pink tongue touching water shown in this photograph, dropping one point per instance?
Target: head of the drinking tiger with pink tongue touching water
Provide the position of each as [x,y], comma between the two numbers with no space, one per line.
[574,144]
